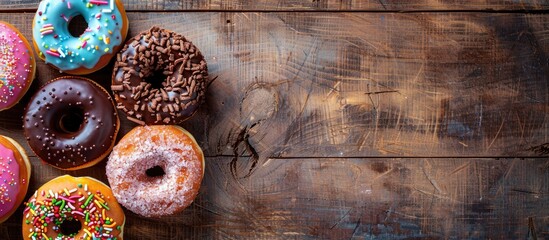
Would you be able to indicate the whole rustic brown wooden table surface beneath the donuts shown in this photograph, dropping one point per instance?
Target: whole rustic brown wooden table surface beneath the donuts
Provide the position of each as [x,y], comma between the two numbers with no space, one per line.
[351,119]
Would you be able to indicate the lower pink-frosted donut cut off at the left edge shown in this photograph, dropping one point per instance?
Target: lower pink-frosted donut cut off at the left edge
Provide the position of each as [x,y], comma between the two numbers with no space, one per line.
[15,170]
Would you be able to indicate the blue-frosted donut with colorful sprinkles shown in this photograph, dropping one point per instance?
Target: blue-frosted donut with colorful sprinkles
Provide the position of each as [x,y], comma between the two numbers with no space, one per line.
[106,31]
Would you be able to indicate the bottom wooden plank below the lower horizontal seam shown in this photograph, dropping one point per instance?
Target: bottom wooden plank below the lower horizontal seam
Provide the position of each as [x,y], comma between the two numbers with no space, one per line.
[352,198]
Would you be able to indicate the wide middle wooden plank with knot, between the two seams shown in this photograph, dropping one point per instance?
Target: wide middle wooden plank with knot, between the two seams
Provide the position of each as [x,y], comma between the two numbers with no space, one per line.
[315,84]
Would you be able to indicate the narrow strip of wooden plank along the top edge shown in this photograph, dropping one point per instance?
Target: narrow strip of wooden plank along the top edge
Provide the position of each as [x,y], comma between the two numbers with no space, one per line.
[315,5]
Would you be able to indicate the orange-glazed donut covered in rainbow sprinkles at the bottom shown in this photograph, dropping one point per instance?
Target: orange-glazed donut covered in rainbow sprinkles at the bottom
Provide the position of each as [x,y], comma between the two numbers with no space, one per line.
[69,207]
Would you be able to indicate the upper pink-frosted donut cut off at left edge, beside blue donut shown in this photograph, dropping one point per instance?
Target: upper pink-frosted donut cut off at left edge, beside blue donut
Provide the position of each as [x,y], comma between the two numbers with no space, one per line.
[17,65]
